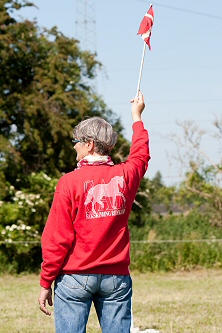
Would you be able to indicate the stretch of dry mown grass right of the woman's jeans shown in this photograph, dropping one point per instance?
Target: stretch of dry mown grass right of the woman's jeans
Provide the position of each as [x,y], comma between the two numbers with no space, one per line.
[179,302]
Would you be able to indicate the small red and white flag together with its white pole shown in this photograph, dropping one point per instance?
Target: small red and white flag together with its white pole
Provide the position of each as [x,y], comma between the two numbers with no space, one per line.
[145,30]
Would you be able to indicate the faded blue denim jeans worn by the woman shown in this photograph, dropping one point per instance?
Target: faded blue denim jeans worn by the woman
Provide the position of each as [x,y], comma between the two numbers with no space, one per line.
[111,295]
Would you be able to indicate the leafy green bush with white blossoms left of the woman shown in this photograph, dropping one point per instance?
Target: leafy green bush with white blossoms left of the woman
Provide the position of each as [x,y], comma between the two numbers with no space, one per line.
[23,217]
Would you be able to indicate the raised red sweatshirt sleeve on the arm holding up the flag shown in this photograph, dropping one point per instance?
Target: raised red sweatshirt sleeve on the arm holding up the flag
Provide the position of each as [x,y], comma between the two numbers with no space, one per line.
[139,152]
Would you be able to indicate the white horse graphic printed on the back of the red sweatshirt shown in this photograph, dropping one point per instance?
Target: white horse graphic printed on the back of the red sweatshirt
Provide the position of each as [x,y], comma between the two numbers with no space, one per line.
[106,192]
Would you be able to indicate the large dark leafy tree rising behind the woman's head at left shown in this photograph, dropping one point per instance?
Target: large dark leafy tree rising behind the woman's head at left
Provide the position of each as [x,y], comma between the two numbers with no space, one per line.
[44,92]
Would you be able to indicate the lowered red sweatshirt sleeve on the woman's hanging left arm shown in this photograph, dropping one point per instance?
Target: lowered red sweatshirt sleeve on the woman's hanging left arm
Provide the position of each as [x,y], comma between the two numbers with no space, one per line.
[58,236]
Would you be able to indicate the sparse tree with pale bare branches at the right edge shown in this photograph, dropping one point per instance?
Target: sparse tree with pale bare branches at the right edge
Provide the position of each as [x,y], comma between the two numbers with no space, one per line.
[202,185]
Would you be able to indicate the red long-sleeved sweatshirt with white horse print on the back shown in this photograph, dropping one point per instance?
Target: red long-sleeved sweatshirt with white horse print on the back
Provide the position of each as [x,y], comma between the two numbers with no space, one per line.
[87,227]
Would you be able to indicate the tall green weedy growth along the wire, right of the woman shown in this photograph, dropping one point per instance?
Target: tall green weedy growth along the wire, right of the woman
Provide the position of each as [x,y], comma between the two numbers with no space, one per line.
[183,252]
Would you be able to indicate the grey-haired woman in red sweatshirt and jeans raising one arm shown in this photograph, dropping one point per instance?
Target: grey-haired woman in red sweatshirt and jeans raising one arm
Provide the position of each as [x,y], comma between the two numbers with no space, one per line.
[85,242]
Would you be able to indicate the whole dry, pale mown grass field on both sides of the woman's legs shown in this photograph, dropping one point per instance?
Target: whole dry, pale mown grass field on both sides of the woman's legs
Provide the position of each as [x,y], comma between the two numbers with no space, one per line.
[182,302]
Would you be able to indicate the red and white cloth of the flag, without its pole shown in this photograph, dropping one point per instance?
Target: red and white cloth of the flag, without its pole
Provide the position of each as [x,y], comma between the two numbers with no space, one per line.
[146,25]
